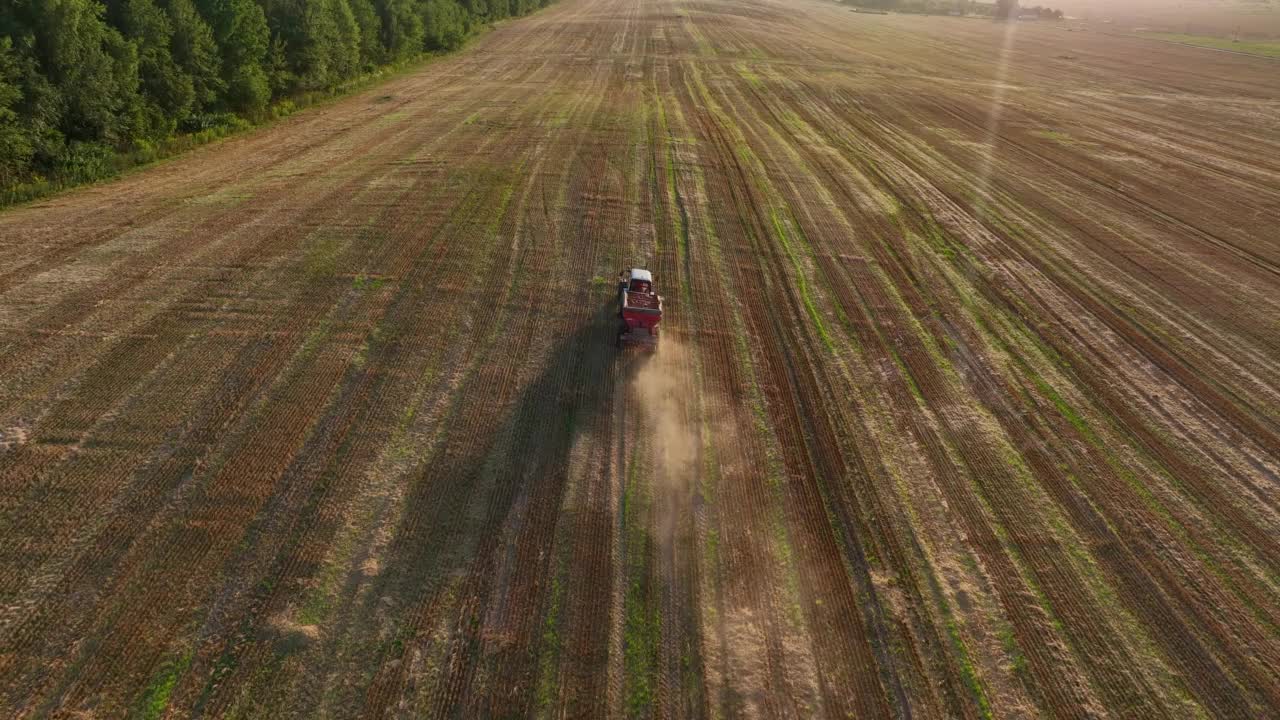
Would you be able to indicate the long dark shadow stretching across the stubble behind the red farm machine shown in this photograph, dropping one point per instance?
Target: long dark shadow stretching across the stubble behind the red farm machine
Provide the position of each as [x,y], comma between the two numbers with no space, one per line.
[479,521]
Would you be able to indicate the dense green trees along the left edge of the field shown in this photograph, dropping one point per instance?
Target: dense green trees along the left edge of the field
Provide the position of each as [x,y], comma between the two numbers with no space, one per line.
[85,81]
